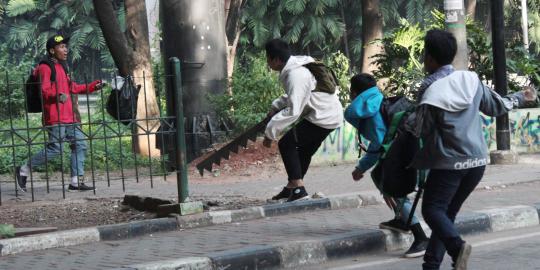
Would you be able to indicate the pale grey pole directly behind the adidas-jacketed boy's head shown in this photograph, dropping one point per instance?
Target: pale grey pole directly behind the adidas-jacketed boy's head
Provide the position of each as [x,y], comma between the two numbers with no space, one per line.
[455,14]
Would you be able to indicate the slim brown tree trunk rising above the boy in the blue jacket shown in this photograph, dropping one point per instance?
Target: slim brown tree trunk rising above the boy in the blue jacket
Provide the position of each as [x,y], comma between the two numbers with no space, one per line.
[372,29]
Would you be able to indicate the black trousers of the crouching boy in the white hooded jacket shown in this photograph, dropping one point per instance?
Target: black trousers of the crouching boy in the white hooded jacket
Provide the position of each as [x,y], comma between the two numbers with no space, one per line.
[298,146]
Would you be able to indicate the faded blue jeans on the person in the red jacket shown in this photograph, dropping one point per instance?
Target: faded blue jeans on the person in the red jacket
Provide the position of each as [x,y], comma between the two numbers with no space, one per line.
[58,134]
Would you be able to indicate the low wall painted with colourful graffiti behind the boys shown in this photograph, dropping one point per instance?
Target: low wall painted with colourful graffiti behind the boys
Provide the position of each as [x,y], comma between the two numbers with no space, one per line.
[342,144]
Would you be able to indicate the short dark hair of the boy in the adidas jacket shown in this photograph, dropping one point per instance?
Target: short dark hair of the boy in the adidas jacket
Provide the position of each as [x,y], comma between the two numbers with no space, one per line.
[441,46]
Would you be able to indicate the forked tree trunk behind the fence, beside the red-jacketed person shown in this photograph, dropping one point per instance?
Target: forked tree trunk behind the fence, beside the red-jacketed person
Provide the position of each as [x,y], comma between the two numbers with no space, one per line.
[131,54]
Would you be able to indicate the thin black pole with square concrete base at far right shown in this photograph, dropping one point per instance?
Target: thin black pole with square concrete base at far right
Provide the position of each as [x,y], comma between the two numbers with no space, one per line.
[503,155]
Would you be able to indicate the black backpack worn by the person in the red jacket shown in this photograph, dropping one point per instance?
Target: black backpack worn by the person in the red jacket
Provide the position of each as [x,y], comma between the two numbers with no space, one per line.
[32,89]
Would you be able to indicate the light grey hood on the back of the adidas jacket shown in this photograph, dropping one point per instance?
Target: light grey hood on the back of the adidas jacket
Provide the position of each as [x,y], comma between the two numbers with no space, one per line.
[452,93]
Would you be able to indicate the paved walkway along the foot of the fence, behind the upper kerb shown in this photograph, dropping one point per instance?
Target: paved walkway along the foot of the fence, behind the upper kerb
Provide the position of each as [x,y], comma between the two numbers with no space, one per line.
[263,184]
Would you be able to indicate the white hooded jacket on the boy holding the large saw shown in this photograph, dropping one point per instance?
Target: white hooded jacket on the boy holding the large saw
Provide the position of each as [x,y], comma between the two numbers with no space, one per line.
[299,102]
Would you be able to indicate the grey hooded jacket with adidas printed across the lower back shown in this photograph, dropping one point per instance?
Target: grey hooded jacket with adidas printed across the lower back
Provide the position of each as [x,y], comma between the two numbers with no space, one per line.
[448,120]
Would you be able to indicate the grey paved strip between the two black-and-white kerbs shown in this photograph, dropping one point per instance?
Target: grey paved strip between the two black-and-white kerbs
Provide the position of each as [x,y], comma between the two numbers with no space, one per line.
[203,241]
